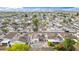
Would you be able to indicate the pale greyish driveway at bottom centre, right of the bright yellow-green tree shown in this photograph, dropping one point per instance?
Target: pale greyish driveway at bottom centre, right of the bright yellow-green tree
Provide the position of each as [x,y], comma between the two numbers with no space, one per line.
[40,46]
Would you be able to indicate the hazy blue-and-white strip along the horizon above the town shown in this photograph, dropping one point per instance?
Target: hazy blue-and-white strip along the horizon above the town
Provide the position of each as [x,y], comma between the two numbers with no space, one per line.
[31,9]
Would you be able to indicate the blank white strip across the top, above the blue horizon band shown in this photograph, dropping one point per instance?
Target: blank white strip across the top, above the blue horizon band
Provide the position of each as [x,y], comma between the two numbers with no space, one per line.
[38,3]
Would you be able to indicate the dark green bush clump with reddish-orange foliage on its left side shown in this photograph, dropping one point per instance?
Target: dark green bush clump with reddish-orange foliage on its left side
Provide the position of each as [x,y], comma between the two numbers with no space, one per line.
[67,45]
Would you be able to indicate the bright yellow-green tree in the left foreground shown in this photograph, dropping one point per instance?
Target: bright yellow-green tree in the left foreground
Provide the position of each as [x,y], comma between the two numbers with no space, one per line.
[19,47]
